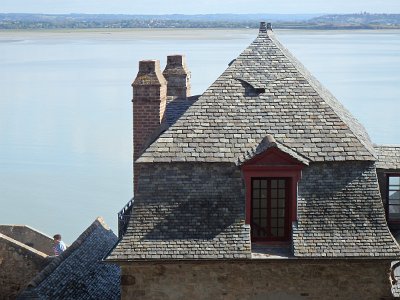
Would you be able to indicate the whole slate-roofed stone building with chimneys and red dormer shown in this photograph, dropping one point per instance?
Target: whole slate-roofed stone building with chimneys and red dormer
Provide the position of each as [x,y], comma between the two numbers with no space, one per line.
[264,187]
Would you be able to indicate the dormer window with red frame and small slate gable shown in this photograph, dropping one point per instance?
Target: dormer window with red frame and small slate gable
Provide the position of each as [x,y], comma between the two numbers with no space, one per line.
[271,177]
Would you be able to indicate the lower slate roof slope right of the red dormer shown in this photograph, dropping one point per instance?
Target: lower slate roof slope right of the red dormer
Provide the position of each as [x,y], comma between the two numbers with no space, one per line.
[340,213]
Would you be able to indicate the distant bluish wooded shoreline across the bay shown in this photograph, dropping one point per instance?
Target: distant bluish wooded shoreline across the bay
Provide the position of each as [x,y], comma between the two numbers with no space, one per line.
[302,21]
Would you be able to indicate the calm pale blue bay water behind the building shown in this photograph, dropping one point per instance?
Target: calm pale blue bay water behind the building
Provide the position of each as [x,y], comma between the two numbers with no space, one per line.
[66,115]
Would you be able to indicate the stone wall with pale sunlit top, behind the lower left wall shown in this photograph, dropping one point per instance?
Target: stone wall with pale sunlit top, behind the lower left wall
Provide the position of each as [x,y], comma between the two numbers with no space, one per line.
[29,237]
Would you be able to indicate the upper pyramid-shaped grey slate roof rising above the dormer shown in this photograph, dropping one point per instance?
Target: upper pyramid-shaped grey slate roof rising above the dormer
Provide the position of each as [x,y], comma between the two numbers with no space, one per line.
[264,91]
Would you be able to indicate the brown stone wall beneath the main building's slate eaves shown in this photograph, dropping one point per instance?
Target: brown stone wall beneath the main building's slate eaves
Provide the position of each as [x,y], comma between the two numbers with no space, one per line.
[266,279]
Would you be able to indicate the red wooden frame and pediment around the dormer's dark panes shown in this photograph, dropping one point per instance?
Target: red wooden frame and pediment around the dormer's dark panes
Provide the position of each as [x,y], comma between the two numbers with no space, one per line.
[274,163]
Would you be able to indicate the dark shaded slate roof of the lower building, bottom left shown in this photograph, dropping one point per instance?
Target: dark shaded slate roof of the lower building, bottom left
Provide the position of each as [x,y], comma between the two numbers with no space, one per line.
[79,273]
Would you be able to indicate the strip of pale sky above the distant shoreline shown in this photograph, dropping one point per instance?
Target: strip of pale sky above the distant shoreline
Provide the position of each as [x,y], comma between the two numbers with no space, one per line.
[198,7]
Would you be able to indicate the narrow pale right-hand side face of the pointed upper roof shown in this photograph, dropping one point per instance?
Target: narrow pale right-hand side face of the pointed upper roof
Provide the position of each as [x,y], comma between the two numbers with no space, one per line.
[321,90]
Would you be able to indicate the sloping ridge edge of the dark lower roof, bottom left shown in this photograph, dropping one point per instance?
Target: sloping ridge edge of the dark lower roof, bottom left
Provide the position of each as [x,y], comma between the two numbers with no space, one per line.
[56,261]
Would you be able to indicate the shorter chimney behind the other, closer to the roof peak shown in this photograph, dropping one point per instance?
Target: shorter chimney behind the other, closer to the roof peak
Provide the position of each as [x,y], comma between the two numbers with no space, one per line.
[178,76]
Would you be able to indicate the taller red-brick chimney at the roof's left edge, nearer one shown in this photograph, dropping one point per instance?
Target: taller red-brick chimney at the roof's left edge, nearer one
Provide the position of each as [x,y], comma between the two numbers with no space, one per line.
[149,102]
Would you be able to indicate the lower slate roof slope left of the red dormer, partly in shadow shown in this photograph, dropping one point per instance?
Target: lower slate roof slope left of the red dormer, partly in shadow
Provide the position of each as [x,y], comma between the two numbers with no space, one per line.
[192,211]
